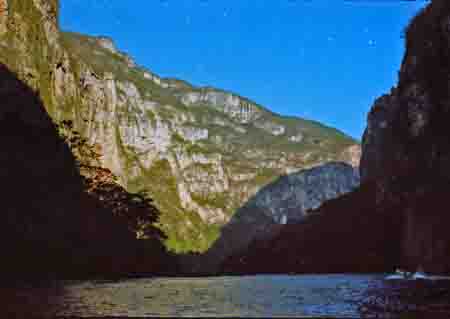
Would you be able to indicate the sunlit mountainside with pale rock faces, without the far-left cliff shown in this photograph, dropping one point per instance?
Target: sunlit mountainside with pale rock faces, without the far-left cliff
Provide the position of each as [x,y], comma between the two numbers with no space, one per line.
[208,138]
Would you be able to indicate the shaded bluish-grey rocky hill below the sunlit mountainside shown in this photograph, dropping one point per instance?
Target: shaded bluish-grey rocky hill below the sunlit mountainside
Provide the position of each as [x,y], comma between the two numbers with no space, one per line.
[288,200]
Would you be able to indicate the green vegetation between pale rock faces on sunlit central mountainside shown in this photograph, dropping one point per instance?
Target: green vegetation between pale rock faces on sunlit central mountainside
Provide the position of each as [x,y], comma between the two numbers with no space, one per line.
[185,230]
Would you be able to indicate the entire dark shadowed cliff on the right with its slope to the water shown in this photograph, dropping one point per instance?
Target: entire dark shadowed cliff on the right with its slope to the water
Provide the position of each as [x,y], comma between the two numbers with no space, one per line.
[398,216]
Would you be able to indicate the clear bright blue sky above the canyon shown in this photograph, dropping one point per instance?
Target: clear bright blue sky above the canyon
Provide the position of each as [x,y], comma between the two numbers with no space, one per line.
[318,59]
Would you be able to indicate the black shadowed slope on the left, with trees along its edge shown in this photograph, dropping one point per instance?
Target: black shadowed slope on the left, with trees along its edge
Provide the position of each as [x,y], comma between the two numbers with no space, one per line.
[54,221]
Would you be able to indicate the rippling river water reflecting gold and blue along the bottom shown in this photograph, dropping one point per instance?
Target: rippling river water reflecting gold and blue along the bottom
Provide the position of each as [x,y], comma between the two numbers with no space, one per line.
[328,296]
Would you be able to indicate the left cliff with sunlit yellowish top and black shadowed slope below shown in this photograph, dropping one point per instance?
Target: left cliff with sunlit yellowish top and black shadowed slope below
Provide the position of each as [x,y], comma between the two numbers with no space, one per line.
[60,216]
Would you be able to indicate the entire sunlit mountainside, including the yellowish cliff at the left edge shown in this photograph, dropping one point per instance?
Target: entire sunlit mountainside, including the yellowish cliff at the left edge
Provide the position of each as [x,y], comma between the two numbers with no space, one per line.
[199,152]
